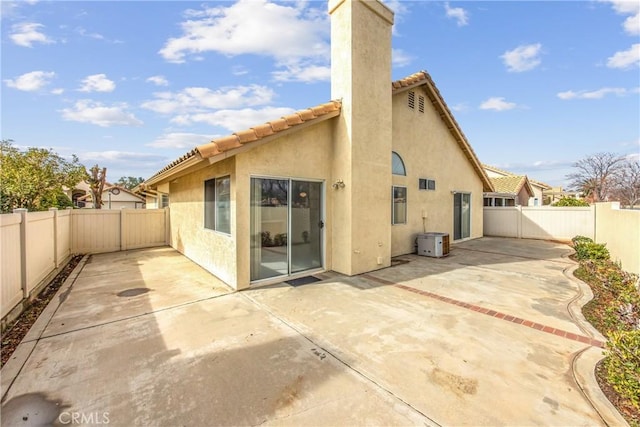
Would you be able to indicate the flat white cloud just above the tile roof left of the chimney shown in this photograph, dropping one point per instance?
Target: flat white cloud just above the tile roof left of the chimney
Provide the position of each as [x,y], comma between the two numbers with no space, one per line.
[234,120]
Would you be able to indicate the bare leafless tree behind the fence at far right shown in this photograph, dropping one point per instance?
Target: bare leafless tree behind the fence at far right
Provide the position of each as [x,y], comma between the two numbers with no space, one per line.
[596,175]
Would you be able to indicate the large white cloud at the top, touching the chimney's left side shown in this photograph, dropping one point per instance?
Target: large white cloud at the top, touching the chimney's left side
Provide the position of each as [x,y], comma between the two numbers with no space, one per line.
[293,34]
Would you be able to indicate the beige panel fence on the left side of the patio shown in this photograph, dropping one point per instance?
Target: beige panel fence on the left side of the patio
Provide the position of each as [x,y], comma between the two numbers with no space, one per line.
[34,244]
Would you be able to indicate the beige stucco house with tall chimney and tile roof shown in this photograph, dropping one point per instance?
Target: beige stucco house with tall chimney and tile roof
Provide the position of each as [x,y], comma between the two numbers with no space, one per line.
[345,185]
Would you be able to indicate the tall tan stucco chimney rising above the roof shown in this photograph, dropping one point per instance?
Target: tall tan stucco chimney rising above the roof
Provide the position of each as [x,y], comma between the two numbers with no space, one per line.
[361,77]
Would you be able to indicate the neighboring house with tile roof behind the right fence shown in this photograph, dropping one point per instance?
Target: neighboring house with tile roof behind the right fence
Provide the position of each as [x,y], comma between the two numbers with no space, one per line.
[512,189]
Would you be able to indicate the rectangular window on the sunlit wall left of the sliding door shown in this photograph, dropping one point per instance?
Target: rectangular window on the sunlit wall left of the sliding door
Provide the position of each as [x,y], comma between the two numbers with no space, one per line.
[217,204]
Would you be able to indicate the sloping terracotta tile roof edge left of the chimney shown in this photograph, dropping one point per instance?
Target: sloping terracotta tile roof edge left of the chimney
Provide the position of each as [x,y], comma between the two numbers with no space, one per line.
[238,139]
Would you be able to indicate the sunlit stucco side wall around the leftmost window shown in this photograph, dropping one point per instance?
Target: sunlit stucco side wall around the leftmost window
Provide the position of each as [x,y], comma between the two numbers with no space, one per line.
[214,251]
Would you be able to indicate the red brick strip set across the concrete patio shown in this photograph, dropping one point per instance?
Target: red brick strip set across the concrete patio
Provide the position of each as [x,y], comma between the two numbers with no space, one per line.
[493,313]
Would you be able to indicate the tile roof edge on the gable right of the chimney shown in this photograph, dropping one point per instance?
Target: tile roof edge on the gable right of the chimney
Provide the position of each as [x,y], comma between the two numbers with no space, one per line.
[422,78]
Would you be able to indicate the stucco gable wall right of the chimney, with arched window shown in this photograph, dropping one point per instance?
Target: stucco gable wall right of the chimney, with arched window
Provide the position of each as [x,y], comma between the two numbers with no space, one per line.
[429,151]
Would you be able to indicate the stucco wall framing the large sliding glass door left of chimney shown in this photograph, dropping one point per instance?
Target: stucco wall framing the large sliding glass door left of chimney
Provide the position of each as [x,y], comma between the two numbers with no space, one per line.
[305,154]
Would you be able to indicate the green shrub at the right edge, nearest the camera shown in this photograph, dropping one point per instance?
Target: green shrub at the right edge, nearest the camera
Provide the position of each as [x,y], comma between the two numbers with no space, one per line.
[623,364]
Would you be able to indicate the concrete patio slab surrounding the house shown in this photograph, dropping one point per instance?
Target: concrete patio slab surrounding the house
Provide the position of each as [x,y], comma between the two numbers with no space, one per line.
[149,338]
